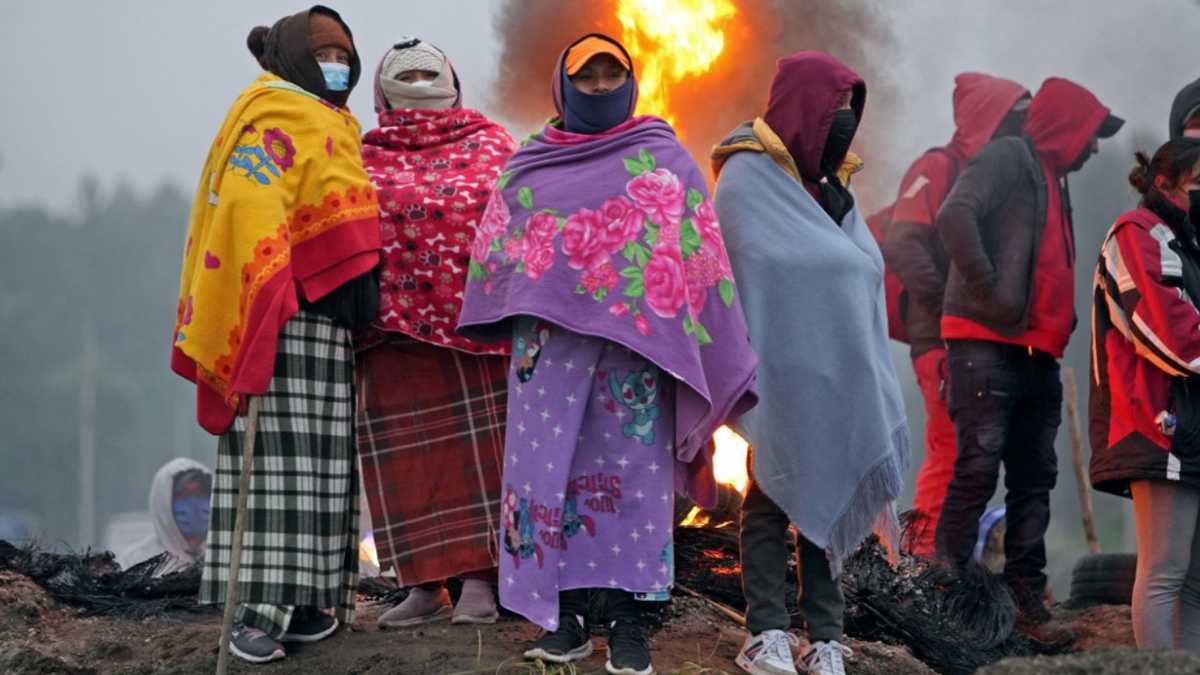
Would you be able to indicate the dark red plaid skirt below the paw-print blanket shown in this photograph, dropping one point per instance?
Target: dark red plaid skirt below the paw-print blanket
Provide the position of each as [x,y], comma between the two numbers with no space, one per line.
[431,441]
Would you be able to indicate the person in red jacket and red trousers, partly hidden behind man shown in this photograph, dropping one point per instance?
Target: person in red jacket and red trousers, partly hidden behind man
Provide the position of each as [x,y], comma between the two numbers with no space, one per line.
[986,107]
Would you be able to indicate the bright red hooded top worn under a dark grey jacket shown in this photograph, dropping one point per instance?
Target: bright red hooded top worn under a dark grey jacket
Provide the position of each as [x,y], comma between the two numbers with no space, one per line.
[1063,122]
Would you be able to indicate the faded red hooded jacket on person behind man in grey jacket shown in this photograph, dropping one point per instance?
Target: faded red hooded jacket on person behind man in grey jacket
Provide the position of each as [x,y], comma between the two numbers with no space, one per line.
[911,248]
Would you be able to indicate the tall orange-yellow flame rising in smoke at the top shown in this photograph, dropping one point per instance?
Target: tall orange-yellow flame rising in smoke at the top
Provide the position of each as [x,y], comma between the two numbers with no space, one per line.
[673,40]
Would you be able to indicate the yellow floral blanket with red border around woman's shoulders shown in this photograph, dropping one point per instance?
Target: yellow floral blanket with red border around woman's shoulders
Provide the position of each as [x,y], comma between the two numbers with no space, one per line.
[284,207]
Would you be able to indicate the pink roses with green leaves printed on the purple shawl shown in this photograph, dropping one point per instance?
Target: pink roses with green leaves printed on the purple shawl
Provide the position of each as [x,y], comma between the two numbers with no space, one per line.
[651,253]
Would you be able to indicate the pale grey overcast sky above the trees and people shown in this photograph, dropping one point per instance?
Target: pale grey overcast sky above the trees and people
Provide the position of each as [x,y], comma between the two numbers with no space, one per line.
[135,89]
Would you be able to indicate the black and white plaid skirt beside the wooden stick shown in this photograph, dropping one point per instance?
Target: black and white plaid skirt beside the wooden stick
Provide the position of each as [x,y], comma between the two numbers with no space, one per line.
[301,548]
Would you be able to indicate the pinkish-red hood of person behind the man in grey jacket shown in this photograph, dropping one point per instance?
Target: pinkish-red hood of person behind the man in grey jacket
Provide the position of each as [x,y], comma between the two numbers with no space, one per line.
[981,103]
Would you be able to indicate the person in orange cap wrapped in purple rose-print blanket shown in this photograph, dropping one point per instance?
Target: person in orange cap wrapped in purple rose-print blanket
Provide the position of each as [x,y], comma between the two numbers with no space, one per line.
[602,259]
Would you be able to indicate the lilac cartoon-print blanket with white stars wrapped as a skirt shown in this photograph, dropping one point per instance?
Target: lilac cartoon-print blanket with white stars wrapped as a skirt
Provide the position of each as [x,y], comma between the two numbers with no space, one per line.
[587,492]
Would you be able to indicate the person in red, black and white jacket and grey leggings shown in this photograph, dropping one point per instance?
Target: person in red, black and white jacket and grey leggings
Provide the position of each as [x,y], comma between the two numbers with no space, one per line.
[1145,344]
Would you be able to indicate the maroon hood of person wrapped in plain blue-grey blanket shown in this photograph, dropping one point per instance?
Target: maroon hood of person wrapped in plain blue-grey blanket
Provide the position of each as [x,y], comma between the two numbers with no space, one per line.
[805,95]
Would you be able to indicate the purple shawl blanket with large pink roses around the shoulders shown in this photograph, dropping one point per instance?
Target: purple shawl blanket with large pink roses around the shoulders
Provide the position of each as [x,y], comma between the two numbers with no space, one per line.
[615,236]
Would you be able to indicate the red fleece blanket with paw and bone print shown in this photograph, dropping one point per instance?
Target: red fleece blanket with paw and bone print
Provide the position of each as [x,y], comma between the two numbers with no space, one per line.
[434,172]
